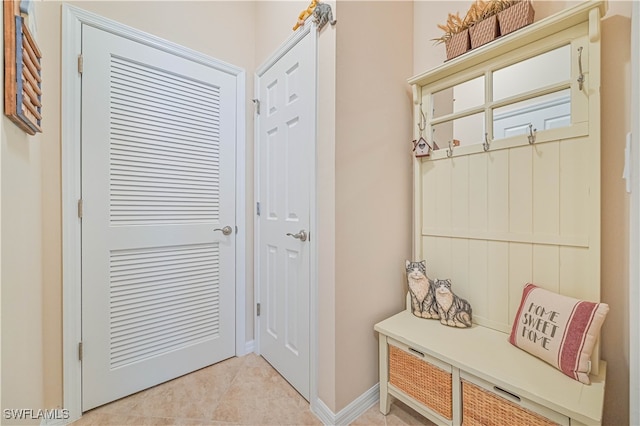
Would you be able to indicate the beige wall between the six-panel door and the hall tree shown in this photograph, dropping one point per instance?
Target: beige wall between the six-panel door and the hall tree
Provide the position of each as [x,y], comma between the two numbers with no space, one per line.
[373,182]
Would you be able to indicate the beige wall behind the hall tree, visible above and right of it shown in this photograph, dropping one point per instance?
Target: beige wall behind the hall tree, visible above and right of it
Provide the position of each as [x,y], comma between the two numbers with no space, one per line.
[616,87]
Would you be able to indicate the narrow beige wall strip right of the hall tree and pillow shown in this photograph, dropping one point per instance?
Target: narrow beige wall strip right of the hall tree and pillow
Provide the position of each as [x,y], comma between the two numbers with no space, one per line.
[616,104]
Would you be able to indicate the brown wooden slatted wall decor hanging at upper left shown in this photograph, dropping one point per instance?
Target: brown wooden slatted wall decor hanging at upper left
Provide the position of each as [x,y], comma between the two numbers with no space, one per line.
[23,72]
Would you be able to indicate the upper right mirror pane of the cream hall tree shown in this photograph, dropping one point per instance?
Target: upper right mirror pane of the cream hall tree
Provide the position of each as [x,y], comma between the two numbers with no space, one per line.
[540,71]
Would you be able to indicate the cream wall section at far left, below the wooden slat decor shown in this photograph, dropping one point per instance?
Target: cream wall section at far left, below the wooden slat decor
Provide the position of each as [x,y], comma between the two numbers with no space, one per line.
[21,273]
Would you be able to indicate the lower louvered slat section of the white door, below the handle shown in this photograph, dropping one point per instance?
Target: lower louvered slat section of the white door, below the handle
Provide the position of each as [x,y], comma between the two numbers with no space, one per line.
[136,306]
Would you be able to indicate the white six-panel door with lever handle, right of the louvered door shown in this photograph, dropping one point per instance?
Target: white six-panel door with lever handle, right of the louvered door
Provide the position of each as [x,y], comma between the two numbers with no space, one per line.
[286,144]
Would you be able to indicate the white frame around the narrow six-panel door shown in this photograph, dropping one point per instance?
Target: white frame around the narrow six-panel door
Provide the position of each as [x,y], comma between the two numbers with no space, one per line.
[309,29]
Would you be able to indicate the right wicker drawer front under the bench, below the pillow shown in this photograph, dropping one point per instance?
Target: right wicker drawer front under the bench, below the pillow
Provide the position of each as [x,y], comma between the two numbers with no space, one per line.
[480,407]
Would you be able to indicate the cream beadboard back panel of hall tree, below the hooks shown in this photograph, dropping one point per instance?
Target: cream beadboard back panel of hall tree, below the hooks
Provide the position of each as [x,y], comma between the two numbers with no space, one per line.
[494,221]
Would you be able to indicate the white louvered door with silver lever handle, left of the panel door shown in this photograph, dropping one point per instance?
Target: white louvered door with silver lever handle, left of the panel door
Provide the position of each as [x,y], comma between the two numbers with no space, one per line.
[158,177]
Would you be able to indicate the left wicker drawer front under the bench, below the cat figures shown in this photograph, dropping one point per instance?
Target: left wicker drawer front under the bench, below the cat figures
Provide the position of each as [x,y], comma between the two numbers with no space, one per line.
[423,381]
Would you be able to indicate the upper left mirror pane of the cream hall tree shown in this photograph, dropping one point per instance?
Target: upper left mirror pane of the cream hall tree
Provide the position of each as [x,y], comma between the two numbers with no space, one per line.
[458,98]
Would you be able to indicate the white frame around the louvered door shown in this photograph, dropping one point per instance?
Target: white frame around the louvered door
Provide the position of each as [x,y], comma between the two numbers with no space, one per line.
[73,19]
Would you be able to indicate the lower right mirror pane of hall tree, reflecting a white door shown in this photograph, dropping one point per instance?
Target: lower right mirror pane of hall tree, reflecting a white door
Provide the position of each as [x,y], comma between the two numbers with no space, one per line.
[543,112]
